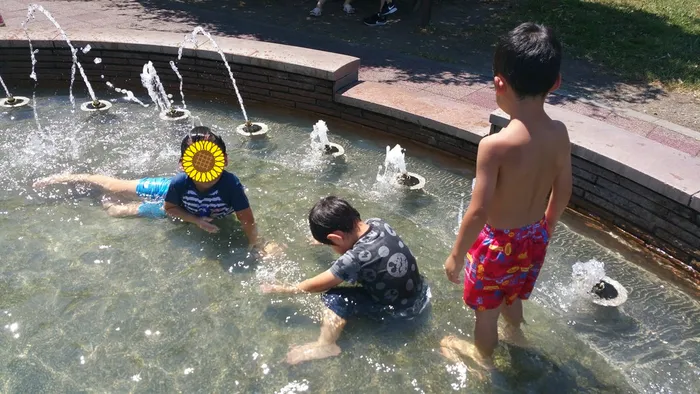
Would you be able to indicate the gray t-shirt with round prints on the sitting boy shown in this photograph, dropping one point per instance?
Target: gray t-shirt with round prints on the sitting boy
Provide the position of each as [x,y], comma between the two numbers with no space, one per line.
[383,265]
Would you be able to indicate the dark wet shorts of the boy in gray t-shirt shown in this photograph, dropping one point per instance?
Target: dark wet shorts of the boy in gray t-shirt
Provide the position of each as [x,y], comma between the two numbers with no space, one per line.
[348,302]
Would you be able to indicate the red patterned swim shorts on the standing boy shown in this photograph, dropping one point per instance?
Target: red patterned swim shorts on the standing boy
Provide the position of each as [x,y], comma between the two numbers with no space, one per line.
[504,264]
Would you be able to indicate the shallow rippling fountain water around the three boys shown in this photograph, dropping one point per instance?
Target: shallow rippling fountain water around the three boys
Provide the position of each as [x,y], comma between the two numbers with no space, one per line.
[93,303]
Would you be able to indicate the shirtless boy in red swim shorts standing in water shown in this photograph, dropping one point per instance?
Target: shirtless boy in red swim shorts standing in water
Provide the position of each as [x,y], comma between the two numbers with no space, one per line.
[506,229]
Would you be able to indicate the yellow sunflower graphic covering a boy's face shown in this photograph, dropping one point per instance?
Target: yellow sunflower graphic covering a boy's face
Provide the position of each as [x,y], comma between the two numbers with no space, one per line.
[203,161]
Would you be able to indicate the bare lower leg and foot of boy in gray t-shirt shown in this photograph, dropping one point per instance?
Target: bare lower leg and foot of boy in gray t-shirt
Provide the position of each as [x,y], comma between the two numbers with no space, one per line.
[331,328]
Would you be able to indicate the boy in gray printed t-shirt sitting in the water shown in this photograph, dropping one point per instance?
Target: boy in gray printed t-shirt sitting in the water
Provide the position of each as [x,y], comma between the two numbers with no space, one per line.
[373,256]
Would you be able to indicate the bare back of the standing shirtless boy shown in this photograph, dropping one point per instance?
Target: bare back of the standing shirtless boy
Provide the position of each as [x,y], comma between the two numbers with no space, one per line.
[532,156]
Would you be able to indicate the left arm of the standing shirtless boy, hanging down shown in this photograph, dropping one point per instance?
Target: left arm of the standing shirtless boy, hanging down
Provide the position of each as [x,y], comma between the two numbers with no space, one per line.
[487,166]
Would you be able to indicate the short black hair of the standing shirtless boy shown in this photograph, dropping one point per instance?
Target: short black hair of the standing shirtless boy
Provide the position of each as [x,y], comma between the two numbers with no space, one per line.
[529,58]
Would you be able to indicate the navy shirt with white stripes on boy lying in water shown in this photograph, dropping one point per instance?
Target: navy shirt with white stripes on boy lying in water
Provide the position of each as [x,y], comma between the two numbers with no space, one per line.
[224,198]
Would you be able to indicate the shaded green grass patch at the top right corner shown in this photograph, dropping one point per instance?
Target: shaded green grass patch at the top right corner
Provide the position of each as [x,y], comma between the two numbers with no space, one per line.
[655,41]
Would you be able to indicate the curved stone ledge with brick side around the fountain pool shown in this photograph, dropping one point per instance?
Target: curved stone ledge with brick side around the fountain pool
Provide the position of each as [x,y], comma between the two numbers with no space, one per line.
[646,189]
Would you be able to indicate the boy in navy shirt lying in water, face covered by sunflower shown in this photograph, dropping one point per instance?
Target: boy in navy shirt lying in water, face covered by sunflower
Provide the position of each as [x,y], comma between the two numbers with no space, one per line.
[180,197]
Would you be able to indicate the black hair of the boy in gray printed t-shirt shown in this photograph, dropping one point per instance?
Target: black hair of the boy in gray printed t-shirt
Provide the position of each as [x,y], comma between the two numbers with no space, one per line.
[332,214]
